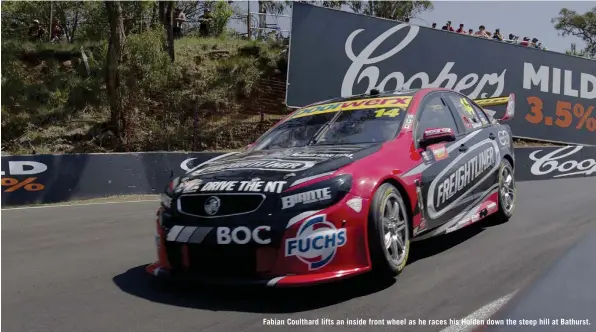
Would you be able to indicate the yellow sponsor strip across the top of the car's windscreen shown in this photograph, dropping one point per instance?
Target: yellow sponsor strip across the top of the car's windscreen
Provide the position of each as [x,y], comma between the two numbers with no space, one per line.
[354,105]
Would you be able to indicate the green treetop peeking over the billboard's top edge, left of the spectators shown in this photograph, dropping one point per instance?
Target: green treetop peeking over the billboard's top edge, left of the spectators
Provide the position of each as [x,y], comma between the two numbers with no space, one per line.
[393,10]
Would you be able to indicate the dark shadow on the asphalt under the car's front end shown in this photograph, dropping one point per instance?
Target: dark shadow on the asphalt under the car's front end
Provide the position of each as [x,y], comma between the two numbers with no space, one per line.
[246,299]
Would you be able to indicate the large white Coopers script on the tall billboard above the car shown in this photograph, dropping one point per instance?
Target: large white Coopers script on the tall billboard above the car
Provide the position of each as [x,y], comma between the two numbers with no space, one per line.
[363,69]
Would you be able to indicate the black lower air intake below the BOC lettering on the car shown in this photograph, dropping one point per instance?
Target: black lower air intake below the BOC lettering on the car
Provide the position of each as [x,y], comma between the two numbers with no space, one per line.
[222,261]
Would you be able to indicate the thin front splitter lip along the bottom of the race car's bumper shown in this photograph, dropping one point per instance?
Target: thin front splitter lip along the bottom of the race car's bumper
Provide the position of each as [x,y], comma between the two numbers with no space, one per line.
[160,271]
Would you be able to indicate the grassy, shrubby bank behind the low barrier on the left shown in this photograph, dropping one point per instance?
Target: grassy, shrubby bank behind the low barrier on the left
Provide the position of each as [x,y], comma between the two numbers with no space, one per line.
[51,105]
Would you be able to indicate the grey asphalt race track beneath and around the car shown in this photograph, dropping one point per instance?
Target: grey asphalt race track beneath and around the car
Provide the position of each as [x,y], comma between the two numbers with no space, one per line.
[80,268]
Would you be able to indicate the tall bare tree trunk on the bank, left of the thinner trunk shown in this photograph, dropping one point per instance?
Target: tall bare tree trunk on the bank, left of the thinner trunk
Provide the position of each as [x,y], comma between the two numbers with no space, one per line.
[114,59]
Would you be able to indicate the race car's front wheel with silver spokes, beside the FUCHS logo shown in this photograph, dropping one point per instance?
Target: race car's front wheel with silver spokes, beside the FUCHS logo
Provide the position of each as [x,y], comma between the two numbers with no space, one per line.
[388,232]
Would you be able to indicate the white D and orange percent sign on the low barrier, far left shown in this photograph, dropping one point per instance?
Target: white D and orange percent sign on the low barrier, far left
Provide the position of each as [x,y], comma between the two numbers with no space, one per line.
[16,171]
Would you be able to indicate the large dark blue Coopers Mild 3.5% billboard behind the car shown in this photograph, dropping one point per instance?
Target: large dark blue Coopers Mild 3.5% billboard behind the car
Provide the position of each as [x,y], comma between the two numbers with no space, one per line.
[556,93]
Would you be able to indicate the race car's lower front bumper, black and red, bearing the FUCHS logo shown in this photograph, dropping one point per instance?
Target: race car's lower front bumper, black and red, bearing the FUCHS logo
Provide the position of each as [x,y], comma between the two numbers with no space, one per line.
[276,266]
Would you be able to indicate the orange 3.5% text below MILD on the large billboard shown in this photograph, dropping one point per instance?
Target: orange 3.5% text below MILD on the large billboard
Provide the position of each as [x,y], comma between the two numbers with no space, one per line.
[566,112]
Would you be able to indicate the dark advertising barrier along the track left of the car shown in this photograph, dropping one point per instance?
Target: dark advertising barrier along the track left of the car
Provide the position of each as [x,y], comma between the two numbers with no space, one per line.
[58,178]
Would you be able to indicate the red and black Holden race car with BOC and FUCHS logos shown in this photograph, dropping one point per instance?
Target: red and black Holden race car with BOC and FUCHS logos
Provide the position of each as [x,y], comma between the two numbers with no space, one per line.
[339,188]
